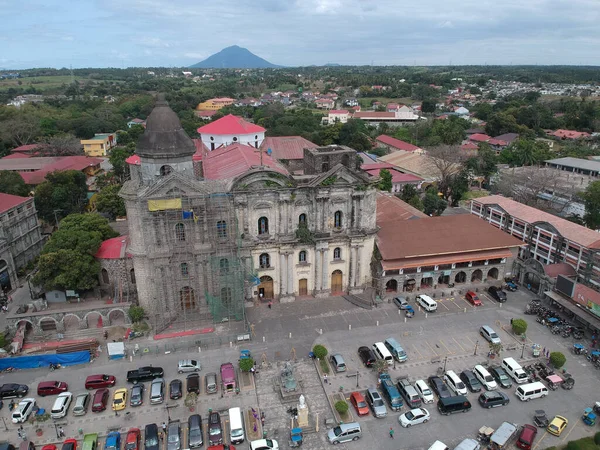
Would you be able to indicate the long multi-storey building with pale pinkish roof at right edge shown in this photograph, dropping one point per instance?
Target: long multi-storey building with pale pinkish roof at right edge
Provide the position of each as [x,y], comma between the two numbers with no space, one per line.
[550,242]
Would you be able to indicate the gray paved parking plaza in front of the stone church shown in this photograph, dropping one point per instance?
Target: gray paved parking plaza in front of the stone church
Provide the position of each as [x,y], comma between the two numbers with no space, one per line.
[448,337]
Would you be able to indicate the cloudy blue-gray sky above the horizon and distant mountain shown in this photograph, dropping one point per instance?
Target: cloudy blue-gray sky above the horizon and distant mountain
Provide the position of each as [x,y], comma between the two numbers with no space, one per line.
[124,33]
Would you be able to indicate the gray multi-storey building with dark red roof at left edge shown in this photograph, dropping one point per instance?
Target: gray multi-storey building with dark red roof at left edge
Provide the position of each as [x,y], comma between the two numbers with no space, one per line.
[21,239]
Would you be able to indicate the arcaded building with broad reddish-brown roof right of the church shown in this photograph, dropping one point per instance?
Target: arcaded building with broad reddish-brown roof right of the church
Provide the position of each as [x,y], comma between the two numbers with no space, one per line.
[416,252]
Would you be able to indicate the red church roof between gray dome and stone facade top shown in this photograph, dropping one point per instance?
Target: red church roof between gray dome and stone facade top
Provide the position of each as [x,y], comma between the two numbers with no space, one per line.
[236,159]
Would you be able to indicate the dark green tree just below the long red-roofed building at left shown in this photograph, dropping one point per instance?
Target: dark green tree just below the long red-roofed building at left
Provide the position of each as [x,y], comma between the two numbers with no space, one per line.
[64,192]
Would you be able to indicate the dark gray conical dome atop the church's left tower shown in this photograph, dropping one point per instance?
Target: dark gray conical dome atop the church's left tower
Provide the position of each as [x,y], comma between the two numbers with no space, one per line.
[164,137]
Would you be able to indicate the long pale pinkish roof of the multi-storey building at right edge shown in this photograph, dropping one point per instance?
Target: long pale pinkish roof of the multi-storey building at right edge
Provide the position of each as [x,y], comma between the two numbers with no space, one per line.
[573,232]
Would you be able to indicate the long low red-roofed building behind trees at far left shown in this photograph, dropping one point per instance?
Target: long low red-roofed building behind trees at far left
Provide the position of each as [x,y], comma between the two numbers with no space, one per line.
[33,170]
